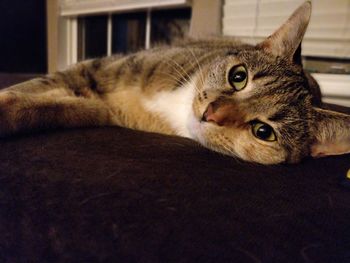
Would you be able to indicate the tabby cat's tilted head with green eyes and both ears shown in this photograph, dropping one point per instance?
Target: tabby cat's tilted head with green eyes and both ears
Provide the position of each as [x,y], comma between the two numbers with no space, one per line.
[257,103]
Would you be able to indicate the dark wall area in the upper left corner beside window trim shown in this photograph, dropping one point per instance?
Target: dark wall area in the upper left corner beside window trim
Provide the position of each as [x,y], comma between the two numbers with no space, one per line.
[23,36]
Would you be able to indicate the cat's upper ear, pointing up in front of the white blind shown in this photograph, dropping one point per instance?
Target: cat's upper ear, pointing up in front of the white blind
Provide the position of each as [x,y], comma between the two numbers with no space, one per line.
[286,41]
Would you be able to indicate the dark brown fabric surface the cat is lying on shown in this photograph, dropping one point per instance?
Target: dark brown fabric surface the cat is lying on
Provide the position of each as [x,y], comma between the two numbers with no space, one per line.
[117,195]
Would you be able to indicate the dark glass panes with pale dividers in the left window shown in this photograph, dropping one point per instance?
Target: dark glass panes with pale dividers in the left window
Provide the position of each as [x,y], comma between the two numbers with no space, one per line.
[127,32]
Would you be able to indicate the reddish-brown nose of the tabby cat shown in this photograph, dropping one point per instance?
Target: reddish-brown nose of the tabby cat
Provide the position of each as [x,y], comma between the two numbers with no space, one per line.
[218,114]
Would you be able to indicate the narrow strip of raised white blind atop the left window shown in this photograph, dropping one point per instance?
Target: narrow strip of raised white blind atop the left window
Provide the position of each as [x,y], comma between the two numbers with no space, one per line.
[84,7]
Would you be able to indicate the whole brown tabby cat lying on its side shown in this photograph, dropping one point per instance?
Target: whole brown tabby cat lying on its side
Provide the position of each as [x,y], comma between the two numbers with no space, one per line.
[253,102]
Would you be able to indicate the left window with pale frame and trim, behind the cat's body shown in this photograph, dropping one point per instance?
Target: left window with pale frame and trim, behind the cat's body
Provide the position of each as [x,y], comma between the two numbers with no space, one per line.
[95,28]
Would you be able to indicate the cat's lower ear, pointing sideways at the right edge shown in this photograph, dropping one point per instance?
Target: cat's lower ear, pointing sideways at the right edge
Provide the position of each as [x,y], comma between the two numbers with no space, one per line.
[332,133]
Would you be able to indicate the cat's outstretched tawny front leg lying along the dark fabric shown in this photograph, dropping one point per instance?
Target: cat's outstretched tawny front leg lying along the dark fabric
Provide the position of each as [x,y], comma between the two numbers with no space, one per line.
[26,112]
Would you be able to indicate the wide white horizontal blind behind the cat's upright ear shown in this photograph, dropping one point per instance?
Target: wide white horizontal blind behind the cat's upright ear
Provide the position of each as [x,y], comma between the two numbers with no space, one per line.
[328,34]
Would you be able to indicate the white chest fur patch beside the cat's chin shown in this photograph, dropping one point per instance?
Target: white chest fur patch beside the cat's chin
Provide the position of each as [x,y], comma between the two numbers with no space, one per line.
[174,107]
